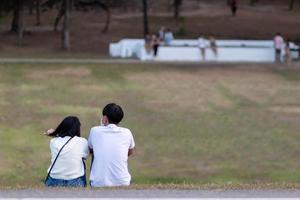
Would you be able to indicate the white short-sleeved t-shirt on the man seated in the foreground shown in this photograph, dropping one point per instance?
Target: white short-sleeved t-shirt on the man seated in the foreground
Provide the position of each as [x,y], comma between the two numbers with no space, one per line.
[110,145]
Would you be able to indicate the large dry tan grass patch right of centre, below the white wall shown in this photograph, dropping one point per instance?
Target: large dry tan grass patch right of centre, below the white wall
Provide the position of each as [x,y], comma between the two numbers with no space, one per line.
[220,87]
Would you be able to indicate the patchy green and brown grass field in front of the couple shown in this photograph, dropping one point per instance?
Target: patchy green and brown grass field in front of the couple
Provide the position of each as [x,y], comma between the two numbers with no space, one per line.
[206,124]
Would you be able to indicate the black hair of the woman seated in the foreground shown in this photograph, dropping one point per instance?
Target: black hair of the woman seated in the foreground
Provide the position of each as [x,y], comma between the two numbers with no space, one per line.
[70,126]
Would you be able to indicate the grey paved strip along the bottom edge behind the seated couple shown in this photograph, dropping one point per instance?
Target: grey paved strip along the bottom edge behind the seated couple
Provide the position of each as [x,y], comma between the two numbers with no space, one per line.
[148,193]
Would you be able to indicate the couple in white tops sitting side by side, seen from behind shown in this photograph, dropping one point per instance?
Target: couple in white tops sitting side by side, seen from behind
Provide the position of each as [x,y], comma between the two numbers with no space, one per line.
[109,145]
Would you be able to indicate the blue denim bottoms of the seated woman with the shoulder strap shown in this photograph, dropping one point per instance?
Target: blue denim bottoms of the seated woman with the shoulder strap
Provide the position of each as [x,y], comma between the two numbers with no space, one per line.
[77,182]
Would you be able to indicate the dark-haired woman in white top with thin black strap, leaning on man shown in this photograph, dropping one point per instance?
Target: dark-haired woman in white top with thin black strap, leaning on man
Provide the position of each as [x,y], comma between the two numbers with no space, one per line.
[68,151]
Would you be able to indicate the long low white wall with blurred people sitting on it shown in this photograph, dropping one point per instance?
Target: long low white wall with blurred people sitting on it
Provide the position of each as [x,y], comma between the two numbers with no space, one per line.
[187,50]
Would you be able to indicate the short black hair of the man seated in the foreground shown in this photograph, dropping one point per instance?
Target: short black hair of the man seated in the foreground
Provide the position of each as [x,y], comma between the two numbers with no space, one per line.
[113,112]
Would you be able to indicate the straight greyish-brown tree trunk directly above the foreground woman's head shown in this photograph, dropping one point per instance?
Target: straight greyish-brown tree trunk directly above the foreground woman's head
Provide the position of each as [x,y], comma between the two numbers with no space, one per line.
[66,26]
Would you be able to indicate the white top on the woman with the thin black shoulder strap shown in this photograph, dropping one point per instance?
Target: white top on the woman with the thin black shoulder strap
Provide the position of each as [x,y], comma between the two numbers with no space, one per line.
[69,164]
